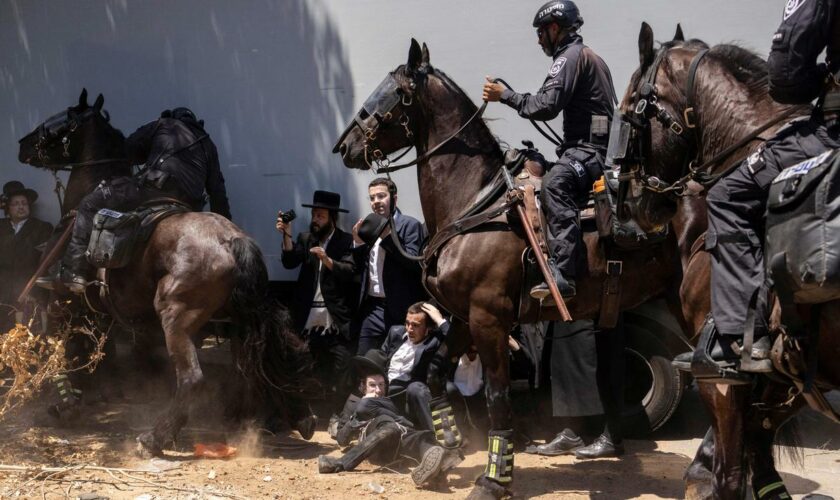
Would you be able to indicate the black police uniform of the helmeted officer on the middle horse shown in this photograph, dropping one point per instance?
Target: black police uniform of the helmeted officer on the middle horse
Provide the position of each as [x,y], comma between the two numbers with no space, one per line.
[580,85]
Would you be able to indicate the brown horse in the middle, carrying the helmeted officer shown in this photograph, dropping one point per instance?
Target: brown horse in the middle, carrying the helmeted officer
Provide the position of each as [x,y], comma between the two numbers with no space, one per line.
[477,275]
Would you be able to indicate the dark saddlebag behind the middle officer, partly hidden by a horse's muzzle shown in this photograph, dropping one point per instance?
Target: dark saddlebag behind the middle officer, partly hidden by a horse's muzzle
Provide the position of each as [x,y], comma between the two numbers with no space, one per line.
[627,235]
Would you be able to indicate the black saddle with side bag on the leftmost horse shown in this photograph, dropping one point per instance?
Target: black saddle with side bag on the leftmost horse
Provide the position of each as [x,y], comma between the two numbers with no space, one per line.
[117,235]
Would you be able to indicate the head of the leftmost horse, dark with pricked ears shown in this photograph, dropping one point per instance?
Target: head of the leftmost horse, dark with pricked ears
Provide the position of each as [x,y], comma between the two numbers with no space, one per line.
[60,140]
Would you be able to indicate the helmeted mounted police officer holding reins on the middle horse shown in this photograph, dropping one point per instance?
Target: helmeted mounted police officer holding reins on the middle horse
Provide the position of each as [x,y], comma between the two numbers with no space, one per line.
[578,84]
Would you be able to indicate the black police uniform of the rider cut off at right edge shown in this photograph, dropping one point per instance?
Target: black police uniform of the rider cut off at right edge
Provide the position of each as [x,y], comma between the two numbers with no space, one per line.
[736,204]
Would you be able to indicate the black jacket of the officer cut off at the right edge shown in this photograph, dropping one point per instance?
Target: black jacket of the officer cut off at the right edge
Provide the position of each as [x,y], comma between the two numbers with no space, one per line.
[808,27]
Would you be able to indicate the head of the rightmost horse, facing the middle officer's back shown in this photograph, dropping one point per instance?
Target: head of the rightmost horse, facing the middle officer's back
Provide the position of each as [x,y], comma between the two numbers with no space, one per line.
[654,139]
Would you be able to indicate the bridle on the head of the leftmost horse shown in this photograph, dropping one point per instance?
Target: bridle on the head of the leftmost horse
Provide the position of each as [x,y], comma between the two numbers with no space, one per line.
[60,127]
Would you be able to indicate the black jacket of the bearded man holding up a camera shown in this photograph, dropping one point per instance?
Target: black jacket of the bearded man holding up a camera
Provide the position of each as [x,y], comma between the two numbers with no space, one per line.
[339,286]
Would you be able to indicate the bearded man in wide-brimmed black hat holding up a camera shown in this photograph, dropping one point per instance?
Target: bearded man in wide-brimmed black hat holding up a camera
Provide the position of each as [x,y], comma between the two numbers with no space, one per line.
[327,288]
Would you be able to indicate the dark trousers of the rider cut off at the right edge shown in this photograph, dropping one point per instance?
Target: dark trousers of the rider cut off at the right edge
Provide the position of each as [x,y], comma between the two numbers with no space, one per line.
[736,206]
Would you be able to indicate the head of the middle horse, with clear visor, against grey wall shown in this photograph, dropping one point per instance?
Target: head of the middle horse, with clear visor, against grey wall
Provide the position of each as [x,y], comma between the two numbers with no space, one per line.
[388,119]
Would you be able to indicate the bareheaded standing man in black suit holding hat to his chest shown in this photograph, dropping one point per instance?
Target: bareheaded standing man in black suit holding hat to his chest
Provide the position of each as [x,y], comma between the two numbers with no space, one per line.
[390,281]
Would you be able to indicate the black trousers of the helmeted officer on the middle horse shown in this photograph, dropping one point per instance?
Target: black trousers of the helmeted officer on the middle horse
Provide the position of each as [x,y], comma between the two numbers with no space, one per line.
[566,187]
